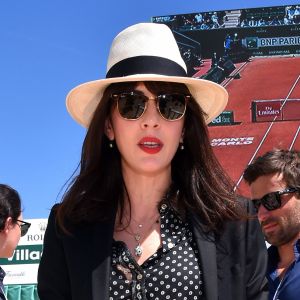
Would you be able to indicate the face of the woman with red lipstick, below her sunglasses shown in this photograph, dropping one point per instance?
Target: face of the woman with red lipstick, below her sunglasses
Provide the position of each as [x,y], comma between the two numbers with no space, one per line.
[147,145]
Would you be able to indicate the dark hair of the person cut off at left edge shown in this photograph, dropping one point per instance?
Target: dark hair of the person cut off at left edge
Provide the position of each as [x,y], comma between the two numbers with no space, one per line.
[10,205]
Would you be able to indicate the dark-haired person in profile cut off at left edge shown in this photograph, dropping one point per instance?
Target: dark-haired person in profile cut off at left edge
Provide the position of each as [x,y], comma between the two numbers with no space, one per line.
[12,226]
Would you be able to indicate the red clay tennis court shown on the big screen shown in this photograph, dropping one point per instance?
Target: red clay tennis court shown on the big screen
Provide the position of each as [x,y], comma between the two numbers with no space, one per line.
[265,103]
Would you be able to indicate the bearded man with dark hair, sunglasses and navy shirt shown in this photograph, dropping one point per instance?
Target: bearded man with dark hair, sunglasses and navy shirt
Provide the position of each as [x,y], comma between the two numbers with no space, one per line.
[274,180]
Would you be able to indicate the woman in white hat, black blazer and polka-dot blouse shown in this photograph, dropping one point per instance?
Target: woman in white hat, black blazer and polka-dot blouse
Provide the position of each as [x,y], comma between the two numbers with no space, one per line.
[151,214]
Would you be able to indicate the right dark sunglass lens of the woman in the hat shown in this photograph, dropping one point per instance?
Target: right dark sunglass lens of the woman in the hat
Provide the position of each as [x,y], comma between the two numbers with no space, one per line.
[172,106]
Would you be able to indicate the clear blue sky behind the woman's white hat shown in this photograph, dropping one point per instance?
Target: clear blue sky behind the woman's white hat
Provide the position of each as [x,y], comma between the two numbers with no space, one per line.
[47,48]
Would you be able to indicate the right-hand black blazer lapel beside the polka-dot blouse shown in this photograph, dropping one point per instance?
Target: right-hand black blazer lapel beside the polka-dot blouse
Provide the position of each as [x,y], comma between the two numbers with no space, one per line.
[207,251]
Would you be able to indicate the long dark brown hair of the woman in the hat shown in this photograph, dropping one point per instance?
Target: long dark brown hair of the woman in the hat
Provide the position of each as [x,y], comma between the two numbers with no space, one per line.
[198,180]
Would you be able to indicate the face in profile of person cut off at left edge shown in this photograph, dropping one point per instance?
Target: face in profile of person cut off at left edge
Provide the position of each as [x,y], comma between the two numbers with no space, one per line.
[9,237]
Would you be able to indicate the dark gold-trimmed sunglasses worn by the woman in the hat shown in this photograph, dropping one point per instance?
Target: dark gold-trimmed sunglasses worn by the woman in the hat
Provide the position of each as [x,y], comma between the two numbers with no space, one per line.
[132,105]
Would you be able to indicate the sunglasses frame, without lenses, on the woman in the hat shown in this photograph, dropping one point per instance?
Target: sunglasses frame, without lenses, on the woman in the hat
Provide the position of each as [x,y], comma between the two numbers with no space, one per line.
[117,96]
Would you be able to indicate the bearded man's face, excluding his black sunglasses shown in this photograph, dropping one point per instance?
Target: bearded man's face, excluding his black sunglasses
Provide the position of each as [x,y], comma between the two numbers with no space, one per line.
[282,225]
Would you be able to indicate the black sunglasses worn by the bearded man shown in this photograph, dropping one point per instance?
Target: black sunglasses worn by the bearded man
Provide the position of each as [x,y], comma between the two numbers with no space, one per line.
[272,201]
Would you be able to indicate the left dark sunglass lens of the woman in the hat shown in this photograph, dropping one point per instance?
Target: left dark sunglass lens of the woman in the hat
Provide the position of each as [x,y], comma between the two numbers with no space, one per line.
[131,106]
